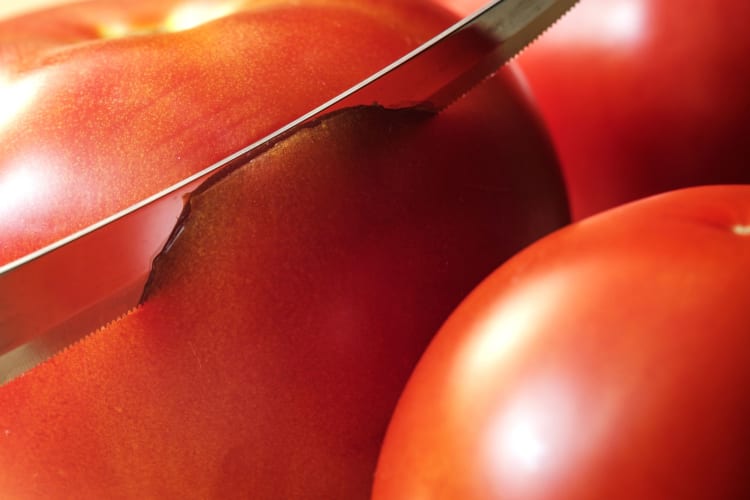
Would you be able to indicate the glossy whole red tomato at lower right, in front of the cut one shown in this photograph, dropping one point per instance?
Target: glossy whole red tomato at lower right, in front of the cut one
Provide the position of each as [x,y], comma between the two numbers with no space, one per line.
[608,360]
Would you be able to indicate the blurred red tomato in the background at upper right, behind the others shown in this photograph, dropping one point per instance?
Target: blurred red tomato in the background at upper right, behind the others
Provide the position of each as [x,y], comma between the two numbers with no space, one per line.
[645,96]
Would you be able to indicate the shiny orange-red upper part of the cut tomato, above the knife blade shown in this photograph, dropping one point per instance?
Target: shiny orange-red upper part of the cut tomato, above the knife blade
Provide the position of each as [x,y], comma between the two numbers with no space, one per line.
[107,102]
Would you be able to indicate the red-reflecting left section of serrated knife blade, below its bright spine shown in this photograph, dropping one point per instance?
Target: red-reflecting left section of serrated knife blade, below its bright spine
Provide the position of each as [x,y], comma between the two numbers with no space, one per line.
[53,300]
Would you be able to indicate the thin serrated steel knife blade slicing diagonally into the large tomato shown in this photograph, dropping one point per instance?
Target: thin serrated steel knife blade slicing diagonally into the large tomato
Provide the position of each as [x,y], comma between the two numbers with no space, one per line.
[55,296]
